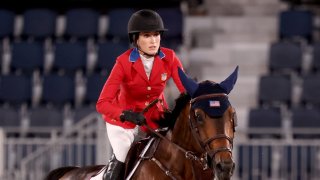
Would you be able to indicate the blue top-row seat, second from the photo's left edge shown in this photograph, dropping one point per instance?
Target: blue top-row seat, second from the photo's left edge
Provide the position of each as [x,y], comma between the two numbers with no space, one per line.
[39,23]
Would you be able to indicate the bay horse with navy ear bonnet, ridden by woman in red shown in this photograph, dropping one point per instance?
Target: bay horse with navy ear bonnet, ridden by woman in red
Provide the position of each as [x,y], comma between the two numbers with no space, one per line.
[197,145]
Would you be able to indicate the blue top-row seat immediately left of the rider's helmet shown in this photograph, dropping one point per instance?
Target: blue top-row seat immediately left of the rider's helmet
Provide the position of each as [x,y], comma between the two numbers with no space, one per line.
[118,22]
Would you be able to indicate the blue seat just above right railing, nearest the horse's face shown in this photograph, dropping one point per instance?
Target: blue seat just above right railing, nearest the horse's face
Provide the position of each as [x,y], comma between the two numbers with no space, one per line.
[265,123]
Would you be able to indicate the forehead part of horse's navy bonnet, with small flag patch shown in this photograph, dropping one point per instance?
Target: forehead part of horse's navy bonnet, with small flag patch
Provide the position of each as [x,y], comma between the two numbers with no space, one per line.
[215,106]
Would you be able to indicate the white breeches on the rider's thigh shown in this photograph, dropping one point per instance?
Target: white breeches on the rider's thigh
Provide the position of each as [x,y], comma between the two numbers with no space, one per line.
[120,140]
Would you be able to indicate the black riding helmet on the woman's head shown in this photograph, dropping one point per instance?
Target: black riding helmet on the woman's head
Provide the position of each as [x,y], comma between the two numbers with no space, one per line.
[144,20]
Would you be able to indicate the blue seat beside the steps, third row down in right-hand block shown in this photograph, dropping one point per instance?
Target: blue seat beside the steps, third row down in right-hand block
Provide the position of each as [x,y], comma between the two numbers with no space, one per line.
[275,90]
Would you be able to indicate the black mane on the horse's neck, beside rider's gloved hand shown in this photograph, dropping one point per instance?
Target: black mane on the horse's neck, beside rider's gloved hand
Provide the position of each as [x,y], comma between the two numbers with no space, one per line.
[170,117]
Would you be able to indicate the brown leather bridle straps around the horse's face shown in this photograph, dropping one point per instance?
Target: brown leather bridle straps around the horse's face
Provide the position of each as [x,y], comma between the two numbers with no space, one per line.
[195,130]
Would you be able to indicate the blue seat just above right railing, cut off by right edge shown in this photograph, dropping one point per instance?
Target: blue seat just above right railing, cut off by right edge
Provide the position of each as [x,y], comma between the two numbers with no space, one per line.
[305,122]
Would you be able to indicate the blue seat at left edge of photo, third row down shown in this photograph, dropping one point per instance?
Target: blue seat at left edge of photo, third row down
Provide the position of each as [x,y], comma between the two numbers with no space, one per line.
[15,89]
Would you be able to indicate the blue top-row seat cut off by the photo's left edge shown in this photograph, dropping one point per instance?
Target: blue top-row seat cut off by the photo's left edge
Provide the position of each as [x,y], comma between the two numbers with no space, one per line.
[7,19]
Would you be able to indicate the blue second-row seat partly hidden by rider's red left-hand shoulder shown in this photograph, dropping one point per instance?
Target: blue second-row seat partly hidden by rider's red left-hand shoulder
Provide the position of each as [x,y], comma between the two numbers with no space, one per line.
[107,54]
